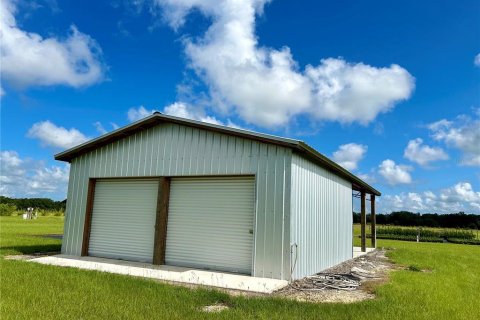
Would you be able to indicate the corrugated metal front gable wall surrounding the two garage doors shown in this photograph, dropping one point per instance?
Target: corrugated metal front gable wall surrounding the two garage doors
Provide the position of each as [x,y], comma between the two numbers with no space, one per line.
[175,150]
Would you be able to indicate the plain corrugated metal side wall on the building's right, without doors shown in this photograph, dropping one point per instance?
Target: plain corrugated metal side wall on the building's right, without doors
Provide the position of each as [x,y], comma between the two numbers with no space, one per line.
[321,218]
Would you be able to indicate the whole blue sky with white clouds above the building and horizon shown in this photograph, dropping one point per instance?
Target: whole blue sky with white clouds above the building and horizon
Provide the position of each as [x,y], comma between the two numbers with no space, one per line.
[390,90]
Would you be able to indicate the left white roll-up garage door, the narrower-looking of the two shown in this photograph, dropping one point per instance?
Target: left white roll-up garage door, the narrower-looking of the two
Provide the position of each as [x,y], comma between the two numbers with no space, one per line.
[123,219]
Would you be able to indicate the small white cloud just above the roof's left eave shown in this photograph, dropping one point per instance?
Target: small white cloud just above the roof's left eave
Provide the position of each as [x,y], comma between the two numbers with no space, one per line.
[52,135]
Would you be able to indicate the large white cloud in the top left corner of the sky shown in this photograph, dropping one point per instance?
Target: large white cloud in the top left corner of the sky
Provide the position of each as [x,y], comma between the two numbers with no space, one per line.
[28,59]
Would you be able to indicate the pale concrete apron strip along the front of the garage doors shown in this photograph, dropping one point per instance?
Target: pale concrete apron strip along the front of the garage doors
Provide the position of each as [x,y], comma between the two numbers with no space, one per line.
[167,273]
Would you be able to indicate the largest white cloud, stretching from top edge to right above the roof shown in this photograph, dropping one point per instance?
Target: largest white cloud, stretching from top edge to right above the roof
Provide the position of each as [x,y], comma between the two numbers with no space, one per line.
[266,86]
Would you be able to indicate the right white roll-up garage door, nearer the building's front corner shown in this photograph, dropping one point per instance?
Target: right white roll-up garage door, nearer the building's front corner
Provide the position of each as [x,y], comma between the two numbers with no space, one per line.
[210,223]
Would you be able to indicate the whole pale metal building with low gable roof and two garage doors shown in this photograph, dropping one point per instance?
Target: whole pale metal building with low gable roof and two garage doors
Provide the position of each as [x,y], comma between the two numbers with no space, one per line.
[167,190]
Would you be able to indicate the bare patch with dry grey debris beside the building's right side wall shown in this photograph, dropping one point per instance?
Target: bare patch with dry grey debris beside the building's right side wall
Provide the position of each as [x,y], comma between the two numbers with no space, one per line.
[348,282]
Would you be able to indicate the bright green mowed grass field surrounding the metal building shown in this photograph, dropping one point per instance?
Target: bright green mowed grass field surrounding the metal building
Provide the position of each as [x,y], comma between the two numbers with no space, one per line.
[449,290]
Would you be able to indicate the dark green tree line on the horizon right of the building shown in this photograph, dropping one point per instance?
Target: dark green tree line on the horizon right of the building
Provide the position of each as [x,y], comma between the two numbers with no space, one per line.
[406,218]
